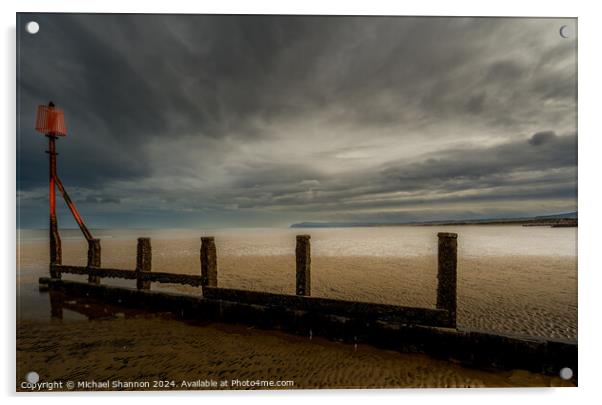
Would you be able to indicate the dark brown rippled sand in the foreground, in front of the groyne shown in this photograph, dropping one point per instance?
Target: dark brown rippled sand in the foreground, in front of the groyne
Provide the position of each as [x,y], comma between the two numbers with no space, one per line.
[151,348]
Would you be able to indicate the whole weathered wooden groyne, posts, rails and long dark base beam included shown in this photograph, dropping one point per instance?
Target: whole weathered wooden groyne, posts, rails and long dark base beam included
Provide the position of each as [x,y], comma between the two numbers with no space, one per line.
[407,329]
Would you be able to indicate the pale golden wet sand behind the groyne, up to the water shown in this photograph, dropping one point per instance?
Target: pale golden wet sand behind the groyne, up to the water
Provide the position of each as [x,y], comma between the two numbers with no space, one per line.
[525,295]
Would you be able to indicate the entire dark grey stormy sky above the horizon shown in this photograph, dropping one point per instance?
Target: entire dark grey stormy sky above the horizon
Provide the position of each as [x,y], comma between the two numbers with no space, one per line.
[209,121]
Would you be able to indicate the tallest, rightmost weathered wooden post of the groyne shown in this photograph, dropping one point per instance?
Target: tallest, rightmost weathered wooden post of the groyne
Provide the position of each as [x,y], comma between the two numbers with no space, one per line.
[447,273]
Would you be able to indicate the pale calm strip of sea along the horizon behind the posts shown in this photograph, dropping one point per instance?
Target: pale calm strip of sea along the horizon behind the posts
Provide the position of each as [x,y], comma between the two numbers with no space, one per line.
[403,241]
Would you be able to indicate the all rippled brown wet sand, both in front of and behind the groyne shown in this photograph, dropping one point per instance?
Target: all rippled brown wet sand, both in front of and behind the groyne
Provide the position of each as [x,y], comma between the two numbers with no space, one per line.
[526,295]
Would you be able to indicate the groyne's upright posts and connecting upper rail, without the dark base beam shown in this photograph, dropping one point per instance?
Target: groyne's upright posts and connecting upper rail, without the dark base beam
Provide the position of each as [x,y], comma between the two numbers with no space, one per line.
[444,315]
